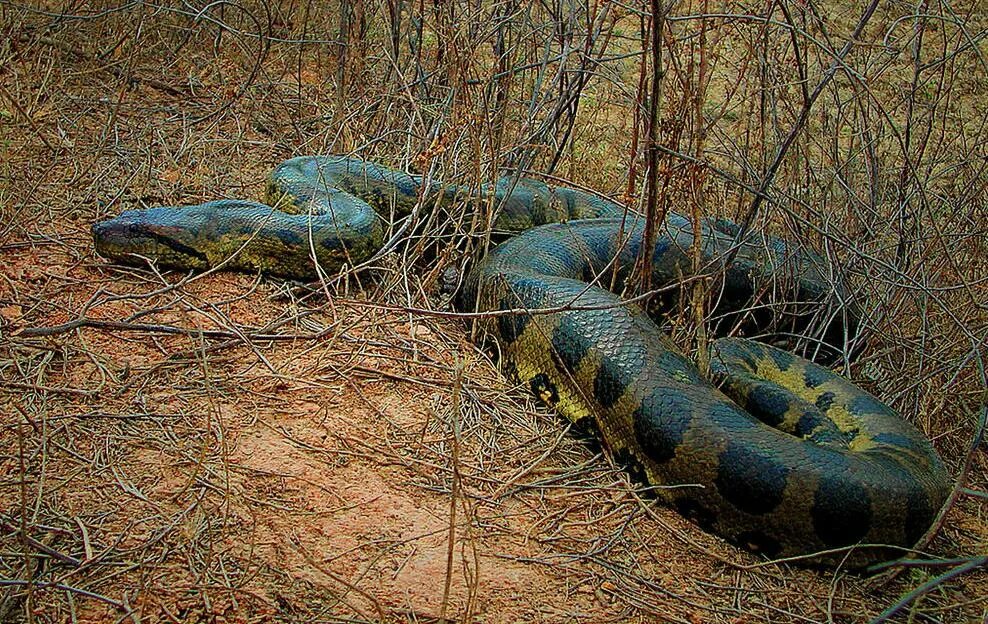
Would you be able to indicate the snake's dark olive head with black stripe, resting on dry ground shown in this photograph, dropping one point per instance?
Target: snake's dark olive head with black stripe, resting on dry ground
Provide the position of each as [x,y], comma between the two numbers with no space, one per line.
[155,234]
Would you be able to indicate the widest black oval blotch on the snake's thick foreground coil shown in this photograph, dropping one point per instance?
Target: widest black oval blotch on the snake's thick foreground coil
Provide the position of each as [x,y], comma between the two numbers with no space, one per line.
[751,480]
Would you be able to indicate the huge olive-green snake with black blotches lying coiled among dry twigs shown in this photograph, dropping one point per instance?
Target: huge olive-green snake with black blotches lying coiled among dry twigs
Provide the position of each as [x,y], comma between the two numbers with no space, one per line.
[781,455]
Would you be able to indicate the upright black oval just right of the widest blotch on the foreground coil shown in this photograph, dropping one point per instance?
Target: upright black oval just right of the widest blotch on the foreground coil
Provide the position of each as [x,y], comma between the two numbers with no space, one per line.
[841,511]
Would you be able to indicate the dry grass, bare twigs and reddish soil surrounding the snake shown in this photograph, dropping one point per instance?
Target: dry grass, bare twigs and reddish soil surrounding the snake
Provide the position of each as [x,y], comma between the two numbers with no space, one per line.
[227,448]
